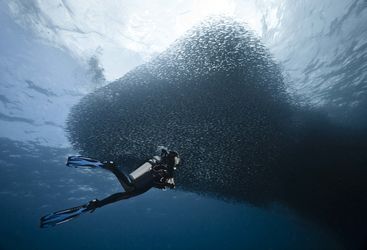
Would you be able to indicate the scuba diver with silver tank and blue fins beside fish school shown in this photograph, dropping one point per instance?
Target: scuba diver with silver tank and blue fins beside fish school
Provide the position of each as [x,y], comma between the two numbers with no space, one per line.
[156,172]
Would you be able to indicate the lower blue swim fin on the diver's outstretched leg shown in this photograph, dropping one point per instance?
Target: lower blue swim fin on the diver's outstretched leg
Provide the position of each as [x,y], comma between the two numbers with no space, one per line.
[65,215]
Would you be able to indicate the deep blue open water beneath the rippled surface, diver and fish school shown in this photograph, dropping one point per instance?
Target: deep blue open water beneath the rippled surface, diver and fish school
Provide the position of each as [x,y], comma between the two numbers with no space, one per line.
[35,181]
